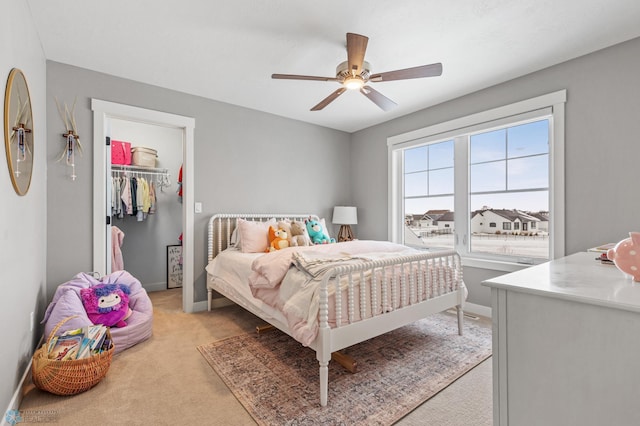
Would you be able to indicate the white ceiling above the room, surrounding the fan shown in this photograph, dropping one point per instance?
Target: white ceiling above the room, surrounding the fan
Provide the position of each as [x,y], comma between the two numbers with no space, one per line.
[227,50]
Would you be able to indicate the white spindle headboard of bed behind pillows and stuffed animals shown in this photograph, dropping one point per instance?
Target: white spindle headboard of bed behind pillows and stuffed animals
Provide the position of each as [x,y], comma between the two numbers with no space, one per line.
[221,227]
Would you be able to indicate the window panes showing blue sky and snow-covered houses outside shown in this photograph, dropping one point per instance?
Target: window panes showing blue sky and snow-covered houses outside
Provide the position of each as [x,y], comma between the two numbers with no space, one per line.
[505,173]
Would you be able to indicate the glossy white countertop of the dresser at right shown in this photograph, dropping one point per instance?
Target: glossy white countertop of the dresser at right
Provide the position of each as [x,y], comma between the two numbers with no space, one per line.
[578,277]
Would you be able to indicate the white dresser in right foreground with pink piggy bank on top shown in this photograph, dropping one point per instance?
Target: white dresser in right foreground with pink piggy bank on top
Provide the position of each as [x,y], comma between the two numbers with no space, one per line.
[566,345]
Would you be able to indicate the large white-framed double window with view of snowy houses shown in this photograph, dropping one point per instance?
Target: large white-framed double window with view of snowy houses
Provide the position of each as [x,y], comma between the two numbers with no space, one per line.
[502,166]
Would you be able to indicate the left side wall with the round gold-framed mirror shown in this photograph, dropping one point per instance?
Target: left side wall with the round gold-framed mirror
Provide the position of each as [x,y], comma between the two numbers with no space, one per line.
[22,218]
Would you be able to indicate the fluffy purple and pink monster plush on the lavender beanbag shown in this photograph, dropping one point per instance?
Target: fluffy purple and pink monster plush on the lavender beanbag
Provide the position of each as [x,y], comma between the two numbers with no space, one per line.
[107,304]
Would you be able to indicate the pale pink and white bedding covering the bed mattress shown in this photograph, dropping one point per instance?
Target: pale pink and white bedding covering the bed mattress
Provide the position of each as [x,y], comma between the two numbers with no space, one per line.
[292,293]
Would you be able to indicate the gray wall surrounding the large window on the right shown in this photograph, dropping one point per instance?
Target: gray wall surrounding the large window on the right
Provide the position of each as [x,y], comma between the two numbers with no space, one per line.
[601,149]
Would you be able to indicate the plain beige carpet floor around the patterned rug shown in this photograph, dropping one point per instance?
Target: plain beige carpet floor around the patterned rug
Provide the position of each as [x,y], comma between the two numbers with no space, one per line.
[166,381]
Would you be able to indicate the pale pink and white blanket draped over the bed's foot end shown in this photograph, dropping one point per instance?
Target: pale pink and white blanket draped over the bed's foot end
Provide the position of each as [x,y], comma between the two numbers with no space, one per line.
[289,279]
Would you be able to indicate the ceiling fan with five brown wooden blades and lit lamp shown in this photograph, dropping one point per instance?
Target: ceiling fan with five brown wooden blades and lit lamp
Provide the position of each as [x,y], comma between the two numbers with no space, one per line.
[355,73]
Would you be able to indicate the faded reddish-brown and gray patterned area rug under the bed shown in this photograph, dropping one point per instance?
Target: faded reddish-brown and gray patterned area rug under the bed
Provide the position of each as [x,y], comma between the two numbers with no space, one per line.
[276,379]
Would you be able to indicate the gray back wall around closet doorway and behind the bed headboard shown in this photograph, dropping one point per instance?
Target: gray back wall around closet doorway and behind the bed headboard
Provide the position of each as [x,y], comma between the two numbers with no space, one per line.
[245,161]
